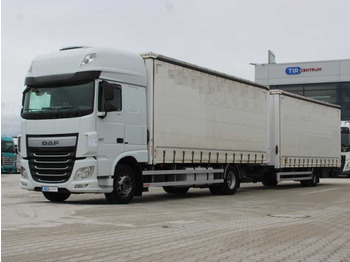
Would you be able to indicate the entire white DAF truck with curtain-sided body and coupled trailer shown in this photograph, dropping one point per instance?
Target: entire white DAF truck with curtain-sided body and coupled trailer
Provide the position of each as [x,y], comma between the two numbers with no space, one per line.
[98,120]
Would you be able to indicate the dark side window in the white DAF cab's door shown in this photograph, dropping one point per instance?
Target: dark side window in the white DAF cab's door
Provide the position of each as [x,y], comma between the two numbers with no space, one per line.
[114,102]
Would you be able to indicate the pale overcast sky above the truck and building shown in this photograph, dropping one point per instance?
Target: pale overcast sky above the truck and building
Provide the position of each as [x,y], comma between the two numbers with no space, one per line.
[223,35]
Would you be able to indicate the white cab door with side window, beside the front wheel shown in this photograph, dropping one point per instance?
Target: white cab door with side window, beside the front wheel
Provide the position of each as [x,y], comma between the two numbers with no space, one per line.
[110,125]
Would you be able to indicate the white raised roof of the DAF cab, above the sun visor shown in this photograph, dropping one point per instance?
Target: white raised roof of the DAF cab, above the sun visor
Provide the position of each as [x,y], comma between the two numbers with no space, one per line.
[113,64]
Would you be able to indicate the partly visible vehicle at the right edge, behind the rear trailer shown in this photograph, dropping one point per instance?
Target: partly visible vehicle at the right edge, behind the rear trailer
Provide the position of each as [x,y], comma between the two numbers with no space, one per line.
[345,149]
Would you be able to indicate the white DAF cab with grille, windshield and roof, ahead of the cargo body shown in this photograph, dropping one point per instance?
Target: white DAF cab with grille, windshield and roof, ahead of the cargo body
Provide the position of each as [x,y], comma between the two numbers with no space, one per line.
[83,111]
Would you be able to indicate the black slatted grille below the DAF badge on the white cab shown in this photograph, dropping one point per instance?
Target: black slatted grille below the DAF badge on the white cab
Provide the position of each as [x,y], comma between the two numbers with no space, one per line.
[51,164]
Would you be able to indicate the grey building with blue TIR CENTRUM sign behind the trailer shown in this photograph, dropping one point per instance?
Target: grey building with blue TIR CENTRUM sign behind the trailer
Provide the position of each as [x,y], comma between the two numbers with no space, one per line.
[328,81]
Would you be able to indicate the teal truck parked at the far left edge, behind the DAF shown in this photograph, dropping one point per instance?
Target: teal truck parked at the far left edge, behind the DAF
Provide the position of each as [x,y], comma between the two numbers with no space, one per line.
[8,155]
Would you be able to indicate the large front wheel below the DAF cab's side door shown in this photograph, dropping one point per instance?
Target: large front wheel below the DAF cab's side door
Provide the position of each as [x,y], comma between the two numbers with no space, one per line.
[124,186]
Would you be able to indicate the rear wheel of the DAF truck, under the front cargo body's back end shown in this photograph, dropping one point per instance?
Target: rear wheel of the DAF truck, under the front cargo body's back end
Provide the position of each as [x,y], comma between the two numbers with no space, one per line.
[230,185]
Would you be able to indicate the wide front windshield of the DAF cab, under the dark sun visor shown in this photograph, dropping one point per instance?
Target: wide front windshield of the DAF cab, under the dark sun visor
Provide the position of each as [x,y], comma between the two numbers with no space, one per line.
[58,101]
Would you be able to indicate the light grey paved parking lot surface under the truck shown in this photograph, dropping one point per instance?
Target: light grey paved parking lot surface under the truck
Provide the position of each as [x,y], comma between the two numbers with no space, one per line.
[285,223]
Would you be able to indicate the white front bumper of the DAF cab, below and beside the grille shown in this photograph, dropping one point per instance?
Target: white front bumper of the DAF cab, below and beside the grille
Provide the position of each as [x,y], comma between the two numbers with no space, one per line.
[88,185]
